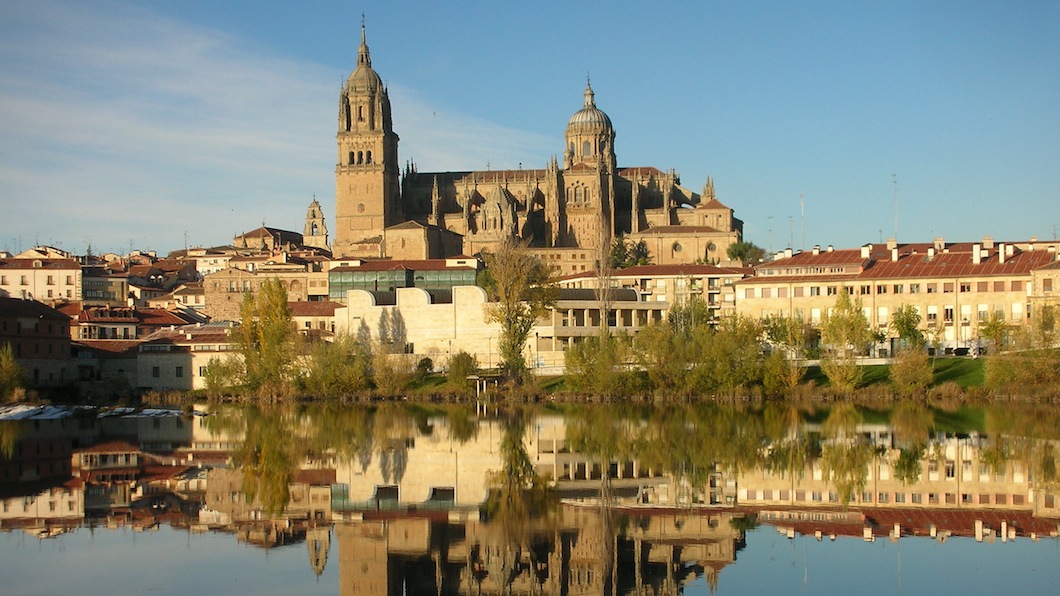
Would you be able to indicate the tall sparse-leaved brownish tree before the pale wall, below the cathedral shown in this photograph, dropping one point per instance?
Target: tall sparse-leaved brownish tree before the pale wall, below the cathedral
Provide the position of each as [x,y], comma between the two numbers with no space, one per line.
[522,290]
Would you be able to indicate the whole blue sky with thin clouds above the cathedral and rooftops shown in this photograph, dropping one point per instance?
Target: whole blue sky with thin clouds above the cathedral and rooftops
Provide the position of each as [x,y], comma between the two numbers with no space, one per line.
[142,124]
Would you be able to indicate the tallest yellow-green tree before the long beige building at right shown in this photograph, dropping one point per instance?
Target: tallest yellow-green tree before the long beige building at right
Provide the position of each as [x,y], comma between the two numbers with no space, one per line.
[845,335]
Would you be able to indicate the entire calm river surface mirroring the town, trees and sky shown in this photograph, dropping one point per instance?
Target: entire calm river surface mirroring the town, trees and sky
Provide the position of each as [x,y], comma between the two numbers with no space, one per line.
[589,501]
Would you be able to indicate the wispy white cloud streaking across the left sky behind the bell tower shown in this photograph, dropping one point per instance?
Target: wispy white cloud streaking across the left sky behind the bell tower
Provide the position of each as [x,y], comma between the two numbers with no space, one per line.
[120,126]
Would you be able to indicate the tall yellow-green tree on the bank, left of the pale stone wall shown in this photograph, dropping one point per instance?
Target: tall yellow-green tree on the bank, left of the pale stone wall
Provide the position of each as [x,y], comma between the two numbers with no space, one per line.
[266,339]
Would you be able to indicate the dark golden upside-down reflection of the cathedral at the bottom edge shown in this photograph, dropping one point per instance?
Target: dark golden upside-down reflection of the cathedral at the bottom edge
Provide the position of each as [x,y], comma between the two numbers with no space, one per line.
[584,552]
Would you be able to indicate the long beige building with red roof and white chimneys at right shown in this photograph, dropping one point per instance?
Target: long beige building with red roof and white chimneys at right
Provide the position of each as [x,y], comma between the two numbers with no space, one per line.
[957,288]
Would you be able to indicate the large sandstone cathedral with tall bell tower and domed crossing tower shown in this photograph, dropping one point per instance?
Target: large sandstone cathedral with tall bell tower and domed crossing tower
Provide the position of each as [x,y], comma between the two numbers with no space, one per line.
[569,212]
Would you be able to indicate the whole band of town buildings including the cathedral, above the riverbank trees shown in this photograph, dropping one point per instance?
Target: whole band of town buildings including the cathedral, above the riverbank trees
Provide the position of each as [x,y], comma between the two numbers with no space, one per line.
[411,247]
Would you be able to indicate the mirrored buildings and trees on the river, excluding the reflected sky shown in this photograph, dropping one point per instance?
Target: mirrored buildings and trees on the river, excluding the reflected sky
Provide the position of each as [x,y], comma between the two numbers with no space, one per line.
[596,500]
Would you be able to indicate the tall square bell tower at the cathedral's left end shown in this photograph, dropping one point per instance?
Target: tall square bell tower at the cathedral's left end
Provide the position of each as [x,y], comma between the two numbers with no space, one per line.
[367,188]
